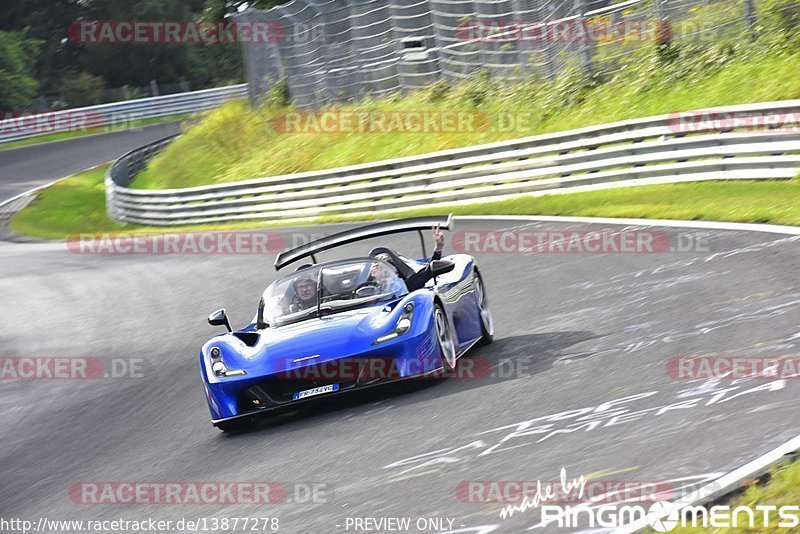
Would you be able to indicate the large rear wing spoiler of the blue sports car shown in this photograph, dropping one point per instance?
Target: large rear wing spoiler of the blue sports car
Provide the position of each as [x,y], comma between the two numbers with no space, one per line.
[413,224]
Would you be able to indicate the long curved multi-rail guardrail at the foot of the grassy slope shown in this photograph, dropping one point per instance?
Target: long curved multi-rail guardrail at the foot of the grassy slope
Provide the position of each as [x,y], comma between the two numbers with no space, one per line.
[648,150]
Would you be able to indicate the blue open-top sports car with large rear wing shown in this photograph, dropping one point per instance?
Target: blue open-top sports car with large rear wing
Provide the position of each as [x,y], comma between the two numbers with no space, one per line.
[332,327]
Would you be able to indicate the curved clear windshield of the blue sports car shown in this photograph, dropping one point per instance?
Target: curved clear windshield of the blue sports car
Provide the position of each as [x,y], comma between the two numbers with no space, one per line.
[320,290]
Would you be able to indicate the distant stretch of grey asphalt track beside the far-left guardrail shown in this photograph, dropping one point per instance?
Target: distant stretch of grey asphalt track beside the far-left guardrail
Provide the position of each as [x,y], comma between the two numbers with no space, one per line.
[27,167]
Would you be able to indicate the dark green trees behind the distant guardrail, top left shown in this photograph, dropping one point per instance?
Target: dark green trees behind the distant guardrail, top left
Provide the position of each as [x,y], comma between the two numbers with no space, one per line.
[37,56]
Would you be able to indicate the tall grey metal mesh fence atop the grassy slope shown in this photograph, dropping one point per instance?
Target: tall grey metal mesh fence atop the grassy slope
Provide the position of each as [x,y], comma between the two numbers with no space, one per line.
[340,50]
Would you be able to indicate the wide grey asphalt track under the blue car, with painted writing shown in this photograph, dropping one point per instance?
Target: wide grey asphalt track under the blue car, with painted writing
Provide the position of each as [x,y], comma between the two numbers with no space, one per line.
[585,332]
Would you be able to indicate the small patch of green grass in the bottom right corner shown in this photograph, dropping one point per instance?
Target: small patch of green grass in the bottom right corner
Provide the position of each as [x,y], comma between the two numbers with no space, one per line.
[782,487]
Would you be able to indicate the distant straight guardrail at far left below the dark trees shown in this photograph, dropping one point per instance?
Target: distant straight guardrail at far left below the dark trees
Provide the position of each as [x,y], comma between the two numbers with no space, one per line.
[116,114]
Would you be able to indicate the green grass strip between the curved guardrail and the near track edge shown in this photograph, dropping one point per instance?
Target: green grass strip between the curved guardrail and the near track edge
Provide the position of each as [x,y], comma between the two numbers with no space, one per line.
[77,205]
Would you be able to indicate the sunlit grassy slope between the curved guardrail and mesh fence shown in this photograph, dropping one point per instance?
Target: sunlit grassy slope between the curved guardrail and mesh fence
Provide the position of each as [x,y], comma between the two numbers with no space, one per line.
[236,142]
